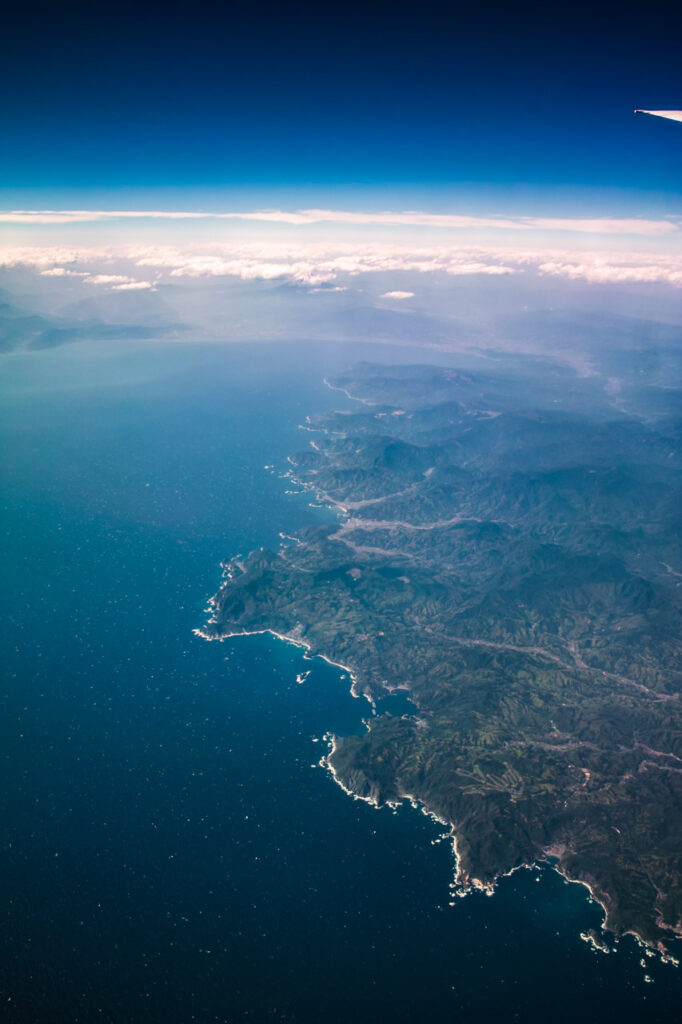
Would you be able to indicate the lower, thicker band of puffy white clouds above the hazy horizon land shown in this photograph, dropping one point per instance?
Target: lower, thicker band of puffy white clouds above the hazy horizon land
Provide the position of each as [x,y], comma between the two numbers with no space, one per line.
[315,266]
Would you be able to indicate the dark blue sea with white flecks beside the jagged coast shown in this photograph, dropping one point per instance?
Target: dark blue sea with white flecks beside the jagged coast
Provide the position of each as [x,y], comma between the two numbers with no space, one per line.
[170,851]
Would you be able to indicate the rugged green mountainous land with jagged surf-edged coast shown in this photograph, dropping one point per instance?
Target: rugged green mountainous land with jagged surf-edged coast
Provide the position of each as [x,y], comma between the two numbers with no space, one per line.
[507,552]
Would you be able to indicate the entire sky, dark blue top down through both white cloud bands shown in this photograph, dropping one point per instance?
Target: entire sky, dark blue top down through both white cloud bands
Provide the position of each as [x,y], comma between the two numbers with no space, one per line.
[217,141]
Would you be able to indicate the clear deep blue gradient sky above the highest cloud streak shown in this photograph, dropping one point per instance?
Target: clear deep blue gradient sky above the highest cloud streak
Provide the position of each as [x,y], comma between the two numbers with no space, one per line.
[502,108]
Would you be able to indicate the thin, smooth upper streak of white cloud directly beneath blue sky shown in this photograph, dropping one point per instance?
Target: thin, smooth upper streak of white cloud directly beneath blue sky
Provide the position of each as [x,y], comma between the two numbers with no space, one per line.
[410,219]
